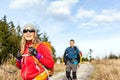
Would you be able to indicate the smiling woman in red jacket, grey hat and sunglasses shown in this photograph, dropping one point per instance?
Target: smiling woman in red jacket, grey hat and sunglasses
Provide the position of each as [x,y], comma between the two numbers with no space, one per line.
[33,56]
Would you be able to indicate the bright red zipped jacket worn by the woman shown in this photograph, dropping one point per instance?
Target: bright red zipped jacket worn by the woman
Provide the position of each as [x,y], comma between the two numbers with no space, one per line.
[29,69]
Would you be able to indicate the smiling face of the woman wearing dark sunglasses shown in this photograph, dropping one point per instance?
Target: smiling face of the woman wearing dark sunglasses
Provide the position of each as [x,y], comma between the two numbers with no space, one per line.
[29,34]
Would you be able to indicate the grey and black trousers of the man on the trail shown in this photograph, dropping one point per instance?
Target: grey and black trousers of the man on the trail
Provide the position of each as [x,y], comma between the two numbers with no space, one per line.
[71,67]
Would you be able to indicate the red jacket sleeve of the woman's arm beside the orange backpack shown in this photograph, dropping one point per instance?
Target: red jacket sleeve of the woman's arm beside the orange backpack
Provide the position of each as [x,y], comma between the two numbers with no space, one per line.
[47,59]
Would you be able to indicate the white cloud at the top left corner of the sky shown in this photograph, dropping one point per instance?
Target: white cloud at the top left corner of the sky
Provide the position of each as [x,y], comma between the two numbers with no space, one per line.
[23,4]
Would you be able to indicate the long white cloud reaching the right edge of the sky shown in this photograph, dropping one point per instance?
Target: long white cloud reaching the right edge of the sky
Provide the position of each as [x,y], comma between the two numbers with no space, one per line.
[92,18]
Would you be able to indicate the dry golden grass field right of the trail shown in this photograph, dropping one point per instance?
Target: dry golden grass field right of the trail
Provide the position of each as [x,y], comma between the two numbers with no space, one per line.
[106,70]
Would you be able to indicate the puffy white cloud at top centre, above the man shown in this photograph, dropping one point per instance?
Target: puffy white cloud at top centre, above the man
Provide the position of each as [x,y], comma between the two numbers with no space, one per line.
[61,9]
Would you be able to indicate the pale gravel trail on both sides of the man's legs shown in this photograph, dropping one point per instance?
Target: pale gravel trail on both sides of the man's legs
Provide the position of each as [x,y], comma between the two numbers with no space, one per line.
[83,73]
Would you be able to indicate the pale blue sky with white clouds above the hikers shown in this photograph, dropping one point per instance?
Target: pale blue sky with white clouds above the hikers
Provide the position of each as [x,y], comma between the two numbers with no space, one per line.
[93,24]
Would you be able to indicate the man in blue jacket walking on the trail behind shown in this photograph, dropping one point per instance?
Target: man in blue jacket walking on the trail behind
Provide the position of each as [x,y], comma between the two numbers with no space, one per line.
[71,59]
